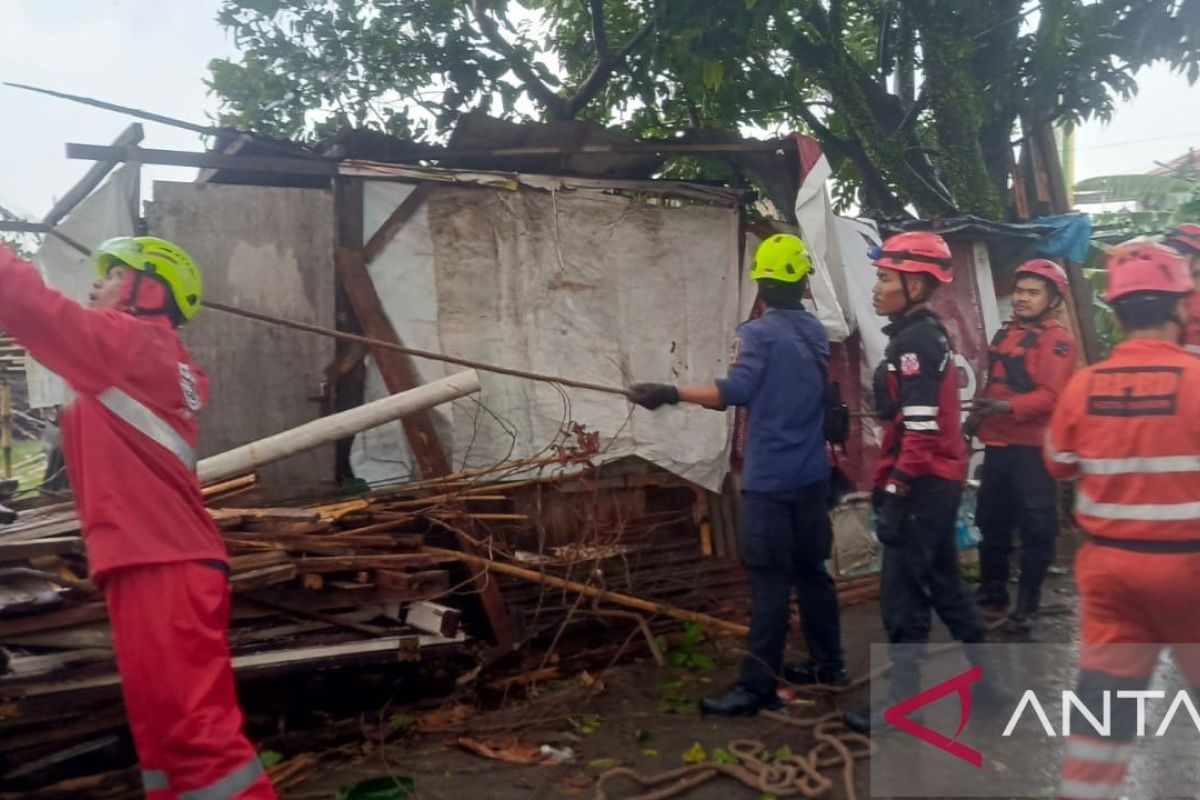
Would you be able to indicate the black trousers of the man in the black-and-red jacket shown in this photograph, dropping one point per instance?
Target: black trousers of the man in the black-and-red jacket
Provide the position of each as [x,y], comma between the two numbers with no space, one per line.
[921,574]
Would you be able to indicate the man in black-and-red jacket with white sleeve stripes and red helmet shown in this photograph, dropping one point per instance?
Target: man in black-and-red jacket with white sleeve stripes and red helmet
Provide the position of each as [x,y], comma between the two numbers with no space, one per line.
[919,479]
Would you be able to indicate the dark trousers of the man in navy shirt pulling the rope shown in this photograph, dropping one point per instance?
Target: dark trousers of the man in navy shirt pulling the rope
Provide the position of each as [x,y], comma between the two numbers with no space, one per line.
[787,539]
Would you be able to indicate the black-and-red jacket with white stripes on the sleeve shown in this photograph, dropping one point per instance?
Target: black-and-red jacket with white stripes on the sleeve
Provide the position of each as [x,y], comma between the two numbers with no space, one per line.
[917,400]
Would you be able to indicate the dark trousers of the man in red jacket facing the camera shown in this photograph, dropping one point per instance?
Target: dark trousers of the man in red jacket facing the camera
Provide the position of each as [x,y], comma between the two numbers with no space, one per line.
[1017,492]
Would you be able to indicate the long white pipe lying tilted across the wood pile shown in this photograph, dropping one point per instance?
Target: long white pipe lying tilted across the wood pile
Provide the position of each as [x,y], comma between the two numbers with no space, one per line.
[250,458]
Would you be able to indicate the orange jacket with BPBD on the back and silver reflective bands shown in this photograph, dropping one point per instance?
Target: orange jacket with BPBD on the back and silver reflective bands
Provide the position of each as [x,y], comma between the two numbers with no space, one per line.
[1130,429]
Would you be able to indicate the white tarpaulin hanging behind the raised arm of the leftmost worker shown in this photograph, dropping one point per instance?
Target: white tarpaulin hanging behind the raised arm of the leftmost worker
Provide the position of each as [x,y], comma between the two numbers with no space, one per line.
[106,213]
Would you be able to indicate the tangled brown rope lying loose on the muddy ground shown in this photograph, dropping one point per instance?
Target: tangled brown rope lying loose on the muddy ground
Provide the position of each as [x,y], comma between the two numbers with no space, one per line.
[784,778]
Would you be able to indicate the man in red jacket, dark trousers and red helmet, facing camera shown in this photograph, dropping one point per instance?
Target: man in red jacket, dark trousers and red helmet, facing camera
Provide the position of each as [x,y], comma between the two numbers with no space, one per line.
[1030,362]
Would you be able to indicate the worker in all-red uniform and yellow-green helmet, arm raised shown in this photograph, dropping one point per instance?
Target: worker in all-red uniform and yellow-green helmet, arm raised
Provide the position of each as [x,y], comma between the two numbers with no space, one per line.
[130,437]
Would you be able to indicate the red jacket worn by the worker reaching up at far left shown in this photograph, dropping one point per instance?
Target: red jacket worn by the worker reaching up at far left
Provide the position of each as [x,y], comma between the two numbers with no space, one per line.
[137,501]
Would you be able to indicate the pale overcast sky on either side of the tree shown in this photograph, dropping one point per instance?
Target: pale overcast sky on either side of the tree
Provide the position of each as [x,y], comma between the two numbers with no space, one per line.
[154,55]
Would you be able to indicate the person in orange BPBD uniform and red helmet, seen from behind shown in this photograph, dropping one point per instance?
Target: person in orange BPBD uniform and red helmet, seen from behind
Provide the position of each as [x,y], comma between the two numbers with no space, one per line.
[1129,430]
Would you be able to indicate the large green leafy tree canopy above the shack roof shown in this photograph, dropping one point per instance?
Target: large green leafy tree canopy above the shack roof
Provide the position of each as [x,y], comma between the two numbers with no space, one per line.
[910,100]
